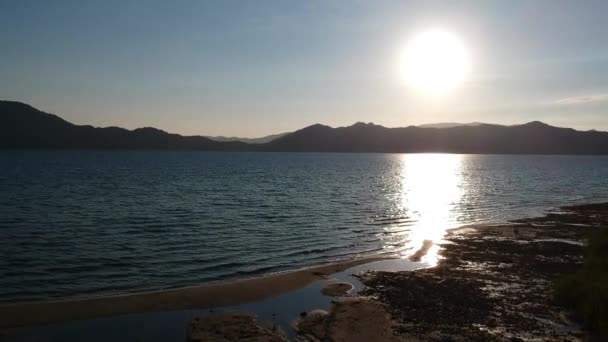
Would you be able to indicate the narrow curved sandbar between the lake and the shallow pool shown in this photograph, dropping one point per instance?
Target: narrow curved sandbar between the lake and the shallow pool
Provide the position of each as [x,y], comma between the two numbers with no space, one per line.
[203,296]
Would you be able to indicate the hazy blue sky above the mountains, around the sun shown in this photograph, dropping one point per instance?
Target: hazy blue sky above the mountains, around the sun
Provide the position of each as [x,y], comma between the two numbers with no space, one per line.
[251,68]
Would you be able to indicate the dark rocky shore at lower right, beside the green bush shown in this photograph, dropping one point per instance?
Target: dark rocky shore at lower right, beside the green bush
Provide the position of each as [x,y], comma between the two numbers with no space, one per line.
[493,283]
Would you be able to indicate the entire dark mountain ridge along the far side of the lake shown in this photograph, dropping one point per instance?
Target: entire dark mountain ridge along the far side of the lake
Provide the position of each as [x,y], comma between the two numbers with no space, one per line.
[25,127]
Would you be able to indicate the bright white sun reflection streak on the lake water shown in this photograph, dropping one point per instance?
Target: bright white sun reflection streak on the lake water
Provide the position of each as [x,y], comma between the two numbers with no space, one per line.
[431,187]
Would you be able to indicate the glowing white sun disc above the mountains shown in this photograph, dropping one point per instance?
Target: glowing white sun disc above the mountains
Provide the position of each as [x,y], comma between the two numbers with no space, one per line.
[434,62]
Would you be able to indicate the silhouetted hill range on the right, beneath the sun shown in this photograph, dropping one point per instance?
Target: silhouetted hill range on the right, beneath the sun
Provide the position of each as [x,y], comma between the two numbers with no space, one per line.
[531,138]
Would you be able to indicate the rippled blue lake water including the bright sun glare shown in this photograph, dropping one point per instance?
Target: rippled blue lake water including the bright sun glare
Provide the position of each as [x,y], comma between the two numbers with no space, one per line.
[76,223]
